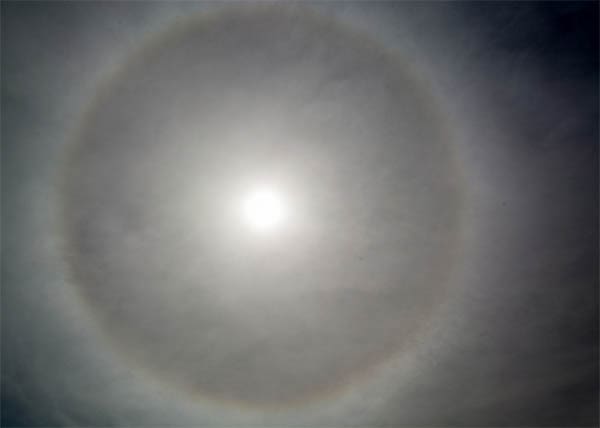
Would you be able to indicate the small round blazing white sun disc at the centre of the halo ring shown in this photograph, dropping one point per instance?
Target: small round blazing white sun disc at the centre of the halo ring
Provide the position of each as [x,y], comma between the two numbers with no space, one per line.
[264,209]
